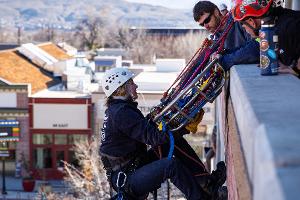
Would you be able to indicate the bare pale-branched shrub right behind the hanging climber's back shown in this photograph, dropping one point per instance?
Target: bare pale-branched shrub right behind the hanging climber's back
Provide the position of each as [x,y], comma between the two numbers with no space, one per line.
[89,180]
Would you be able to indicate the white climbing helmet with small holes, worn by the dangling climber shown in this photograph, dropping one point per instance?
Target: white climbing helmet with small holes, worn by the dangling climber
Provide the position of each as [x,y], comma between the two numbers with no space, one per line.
[115,78]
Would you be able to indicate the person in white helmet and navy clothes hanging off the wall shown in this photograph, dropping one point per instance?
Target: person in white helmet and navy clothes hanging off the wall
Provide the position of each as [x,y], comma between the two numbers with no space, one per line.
[123,148]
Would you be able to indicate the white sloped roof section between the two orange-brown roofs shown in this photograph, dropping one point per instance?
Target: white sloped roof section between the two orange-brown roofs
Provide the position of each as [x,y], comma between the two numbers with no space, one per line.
[38,56]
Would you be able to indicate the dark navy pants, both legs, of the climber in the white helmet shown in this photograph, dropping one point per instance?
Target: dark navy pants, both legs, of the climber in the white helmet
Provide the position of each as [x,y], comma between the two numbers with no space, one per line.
[180,170]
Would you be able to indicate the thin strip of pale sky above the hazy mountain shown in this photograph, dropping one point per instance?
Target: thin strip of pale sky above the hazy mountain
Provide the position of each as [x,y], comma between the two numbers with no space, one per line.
[181,4]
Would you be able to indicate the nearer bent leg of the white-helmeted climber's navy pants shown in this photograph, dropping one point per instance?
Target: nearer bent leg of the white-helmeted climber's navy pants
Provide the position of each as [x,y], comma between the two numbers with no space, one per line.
[150,177]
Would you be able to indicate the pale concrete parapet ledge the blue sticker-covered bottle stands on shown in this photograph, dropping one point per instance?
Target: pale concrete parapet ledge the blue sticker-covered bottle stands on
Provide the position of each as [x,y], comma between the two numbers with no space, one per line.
[267,114]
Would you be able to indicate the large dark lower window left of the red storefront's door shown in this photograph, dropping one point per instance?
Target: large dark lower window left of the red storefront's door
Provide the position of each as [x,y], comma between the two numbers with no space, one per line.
[42,158]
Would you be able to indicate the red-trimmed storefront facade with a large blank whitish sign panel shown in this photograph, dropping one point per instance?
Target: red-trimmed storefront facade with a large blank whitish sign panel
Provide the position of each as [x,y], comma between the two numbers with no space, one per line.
[55,125]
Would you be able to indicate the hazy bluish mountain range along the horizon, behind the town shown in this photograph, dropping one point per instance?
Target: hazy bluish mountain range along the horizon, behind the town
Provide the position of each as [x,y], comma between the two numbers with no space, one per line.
[65,14]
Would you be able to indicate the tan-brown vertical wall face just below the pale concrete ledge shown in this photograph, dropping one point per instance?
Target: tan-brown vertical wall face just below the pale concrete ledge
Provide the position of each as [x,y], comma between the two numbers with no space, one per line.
[238,184]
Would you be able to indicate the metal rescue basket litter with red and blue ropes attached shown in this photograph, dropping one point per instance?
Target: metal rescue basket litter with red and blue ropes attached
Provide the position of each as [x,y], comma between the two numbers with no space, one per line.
[199,82]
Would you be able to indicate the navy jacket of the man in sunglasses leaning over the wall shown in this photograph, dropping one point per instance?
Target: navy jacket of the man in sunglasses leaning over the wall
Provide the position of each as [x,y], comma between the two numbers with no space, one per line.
[240,48]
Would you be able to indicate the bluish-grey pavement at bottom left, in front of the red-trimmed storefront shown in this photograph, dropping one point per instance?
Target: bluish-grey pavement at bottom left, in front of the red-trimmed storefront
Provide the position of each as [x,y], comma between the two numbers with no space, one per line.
[15,190]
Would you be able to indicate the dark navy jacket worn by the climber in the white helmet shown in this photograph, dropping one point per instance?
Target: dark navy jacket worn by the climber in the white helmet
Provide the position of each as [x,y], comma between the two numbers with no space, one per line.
[126,131]
